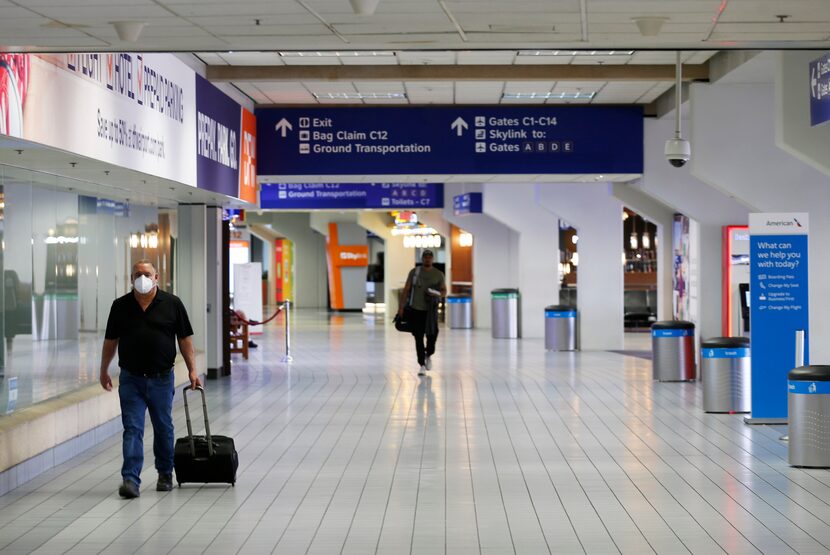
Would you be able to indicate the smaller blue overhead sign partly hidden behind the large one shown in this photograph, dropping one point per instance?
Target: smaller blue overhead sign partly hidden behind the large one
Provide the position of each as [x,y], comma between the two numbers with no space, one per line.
[340,196]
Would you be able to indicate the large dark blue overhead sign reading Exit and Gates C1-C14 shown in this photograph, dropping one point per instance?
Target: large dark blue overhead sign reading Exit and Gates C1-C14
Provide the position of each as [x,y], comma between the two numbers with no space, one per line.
[452,140]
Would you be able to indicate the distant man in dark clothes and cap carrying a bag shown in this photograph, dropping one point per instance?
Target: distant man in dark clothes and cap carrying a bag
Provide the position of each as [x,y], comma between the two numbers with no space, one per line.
[424,288]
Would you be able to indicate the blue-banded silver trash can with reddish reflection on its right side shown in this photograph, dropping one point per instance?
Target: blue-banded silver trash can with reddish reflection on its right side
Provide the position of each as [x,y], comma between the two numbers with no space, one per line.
[673,351]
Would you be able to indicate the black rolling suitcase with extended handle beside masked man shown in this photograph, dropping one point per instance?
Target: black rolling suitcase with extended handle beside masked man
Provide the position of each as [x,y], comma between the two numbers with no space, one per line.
[207,458]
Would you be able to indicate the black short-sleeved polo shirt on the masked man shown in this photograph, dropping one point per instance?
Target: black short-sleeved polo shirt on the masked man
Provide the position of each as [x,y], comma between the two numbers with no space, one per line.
[147,339]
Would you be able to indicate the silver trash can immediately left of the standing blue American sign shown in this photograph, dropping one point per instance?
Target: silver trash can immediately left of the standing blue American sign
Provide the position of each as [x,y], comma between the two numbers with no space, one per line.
[725,369]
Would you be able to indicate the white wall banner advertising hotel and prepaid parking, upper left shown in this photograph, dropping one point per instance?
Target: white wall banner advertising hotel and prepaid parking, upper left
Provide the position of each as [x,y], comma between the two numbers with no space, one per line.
[137,111]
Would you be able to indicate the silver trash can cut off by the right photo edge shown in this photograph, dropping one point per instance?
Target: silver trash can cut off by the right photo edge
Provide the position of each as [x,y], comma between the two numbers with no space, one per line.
[808,403]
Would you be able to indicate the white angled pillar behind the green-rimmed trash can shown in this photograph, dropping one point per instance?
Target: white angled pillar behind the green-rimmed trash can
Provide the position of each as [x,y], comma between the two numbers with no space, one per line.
[495,252]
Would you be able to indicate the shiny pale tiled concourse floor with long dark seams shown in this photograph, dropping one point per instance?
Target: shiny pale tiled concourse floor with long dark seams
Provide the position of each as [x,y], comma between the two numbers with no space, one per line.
[503,449]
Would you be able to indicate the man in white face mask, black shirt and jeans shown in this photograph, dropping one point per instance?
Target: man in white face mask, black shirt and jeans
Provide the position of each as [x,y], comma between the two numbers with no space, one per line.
[144,325]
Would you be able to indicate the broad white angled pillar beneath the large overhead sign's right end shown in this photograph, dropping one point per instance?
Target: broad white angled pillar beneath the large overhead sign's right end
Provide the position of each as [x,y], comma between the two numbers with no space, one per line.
[597,216]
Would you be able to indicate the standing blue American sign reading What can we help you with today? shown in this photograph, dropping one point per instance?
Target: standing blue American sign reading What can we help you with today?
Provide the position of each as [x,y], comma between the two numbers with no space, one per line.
[779,307]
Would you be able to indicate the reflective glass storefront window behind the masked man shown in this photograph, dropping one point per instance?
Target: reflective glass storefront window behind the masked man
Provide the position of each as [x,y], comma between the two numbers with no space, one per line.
[64,256]
